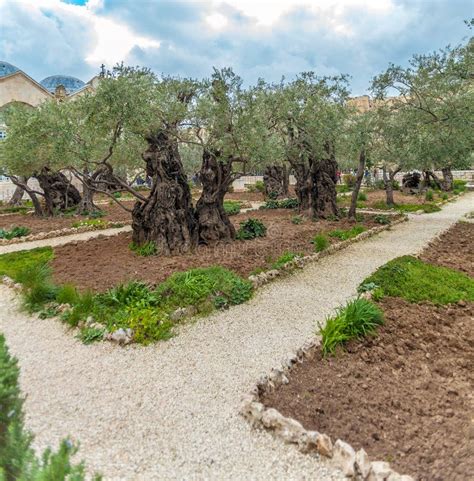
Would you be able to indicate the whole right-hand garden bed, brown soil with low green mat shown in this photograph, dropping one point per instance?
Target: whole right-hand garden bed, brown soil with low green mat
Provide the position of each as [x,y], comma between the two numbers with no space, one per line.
[403,394]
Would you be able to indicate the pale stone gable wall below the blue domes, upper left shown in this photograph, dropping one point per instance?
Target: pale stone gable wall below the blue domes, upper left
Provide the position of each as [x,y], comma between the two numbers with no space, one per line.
[19,88]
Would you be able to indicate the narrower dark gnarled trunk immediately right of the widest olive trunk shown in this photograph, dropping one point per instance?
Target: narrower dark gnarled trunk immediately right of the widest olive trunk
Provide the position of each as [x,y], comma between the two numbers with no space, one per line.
[213,223]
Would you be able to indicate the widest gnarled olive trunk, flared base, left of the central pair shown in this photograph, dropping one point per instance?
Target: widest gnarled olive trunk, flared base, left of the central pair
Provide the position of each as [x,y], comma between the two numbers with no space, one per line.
[166,217]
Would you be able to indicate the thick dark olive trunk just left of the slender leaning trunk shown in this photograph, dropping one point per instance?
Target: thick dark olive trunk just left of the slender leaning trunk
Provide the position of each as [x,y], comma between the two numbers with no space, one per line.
[323,186]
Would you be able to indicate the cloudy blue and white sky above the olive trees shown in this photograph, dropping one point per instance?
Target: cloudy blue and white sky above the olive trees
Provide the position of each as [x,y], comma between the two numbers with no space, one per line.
[257,38]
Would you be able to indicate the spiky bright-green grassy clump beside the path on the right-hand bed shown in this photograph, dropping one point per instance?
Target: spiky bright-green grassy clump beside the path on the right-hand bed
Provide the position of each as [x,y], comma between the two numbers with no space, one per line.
[356,319]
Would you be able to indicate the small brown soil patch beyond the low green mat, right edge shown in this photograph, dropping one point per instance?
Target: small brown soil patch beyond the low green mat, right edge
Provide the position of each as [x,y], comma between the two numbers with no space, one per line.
[454,249]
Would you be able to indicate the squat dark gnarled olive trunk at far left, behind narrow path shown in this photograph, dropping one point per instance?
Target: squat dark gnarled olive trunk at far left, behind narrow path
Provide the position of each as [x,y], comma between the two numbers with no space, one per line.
[58,191]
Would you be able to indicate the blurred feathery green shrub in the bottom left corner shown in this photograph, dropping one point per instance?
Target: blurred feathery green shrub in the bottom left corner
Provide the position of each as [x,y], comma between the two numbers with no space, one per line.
[18,460]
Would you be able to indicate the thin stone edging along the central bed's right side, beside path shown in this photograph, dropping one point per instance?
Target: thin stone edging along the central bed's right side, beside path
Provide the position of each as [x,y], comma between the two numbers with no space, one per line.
[263,278]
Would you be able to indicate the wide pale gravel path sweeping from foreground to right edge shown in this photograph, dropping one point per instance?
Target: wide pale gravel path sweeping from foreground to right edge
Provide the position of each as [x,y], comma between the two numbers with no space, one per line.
[169,411]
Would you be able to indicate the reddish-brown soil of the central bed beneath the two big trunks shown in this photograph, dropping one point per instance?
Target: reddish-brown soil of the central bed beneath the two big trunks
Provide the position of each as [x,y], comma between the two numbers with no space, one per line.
[104,262]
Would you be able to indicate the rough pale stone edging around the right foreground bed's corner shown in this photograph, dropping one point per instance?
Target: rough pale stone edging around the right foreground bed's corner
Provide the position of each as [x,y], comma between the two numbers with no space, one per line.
[354,464]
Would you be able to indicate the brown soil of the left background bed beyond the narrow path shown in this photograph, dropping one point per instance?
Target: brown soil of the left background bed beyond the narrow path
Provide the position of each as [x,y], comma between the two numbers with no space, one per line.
[114,213]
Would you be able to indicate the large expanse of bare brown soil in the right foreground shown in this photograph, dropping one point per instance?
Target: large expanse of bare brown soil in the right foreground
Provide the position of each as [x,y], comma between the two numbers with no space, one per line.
[405,396]
